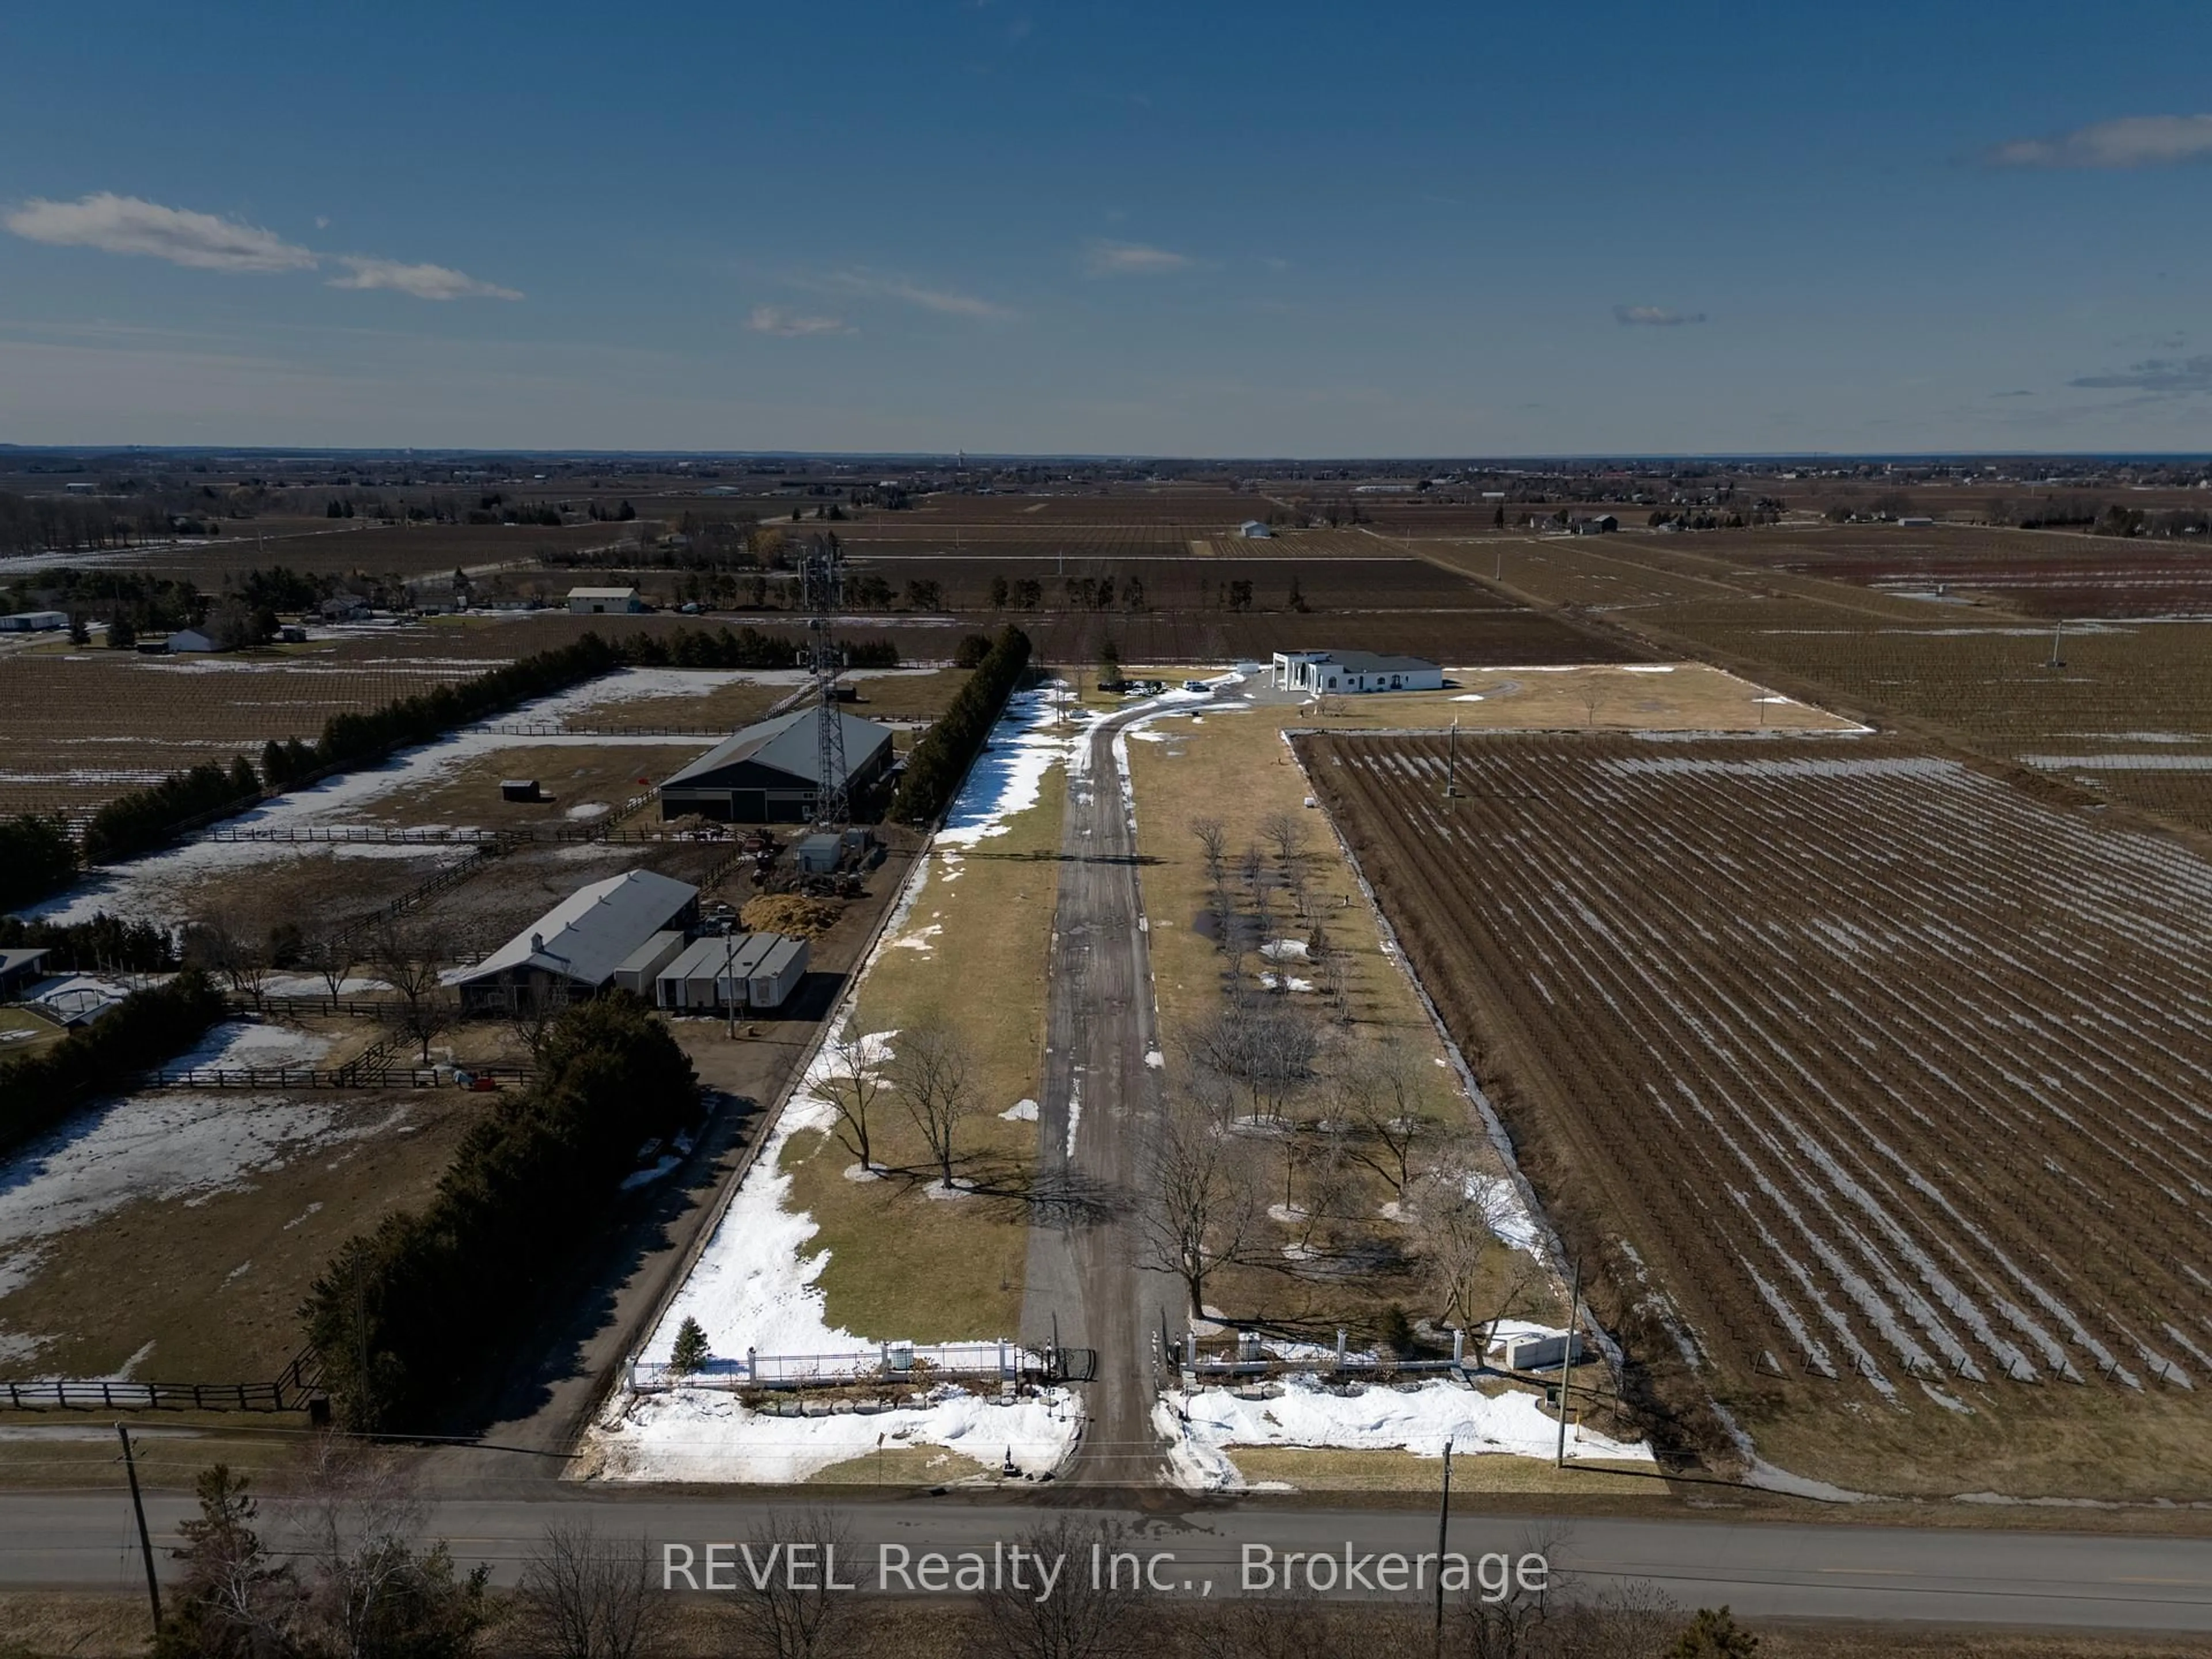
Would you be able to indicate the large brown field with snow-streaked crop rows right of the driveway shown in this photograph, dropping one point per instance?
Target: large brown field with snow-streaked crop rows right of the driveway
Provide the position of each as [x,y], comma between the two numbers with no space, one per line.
[1872,1089]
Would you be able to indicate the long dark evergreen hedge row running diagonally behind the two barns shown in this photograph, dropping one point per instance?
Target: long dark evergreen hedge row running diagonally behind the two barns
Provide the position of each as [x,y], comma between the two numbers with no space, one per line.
[154,817]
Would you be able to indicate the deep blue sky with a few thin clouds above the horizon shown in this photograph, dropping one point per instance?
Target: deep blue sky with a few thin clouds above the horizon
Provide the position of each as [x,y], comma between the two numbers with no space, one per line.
[1134,229]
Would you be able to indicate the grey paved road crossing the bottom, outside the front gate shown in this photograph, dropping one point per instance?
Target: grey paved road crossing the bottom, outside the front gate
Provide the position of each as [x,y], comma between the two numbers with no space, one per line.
[1771,1569]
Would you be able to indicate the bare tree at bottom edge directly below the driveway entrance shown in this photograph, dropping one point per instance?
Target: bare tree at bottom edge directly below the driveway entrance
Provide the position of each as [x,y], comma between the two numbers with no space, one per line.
[1081,1618]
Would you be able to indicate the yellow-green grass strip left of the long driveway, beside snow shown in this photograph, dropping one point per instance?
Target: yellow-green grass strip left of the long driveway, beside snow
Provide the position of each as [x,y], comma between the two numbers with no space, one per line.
[972,952]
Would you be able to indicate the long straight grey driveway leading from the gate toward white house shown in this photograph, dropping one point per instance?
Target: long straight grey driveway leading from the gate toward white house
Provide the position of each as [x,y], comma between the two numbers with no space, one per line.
[1096,1103]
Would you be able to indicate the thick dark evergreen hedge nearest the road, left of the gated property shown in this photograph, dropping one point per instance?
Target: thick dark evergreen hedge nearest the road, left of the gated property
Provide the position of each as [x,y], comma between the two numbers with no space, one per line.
[417,1319]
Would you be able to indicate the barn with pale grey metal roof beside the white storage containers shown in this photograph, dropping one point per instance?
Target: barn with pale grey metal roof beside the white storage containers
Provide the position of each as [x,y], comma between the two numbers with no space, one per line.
[576,948]
